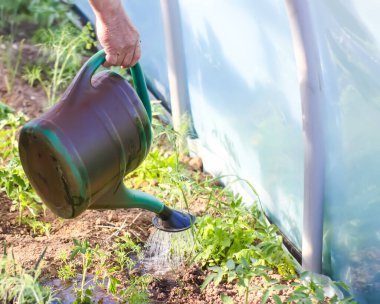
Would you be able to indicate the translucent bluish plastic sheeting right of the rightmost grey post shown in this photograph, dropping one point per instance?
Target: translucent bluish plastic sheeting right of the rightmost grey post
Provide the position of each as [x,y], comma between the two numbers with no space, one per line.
[349,44]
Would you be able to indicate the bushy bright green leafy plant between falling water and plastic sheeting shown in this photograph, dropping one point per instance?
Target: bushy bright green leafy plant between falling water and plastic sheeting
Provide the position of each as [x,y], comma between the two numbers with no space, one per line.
[236,232]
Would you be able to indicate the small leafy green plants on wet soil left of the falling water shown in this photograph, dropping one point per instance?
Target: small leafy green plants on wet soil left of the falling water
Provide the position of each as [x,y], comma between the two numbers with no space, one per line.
[104,268]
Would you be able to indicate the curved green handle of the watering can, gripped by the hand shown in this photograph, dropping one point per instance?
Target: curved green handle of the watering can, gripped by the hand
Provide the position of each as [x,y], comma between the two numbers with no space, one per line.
[139,83]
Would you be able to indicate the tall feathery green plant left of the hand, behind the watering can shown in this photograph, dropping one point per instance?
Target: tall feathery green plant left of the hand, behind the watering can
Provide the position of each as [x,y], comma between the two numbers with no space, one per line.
[61,50]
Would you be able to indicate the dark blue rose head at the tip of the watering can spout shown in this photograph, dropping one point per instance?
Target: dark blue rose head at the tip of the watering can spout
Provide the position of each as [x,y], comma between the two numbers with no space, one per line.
[171,220]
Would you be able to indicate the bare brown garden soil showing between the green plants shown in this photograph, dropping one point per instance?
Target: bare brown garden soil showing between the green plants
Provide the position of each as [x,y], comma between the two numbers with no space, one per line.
[99,226]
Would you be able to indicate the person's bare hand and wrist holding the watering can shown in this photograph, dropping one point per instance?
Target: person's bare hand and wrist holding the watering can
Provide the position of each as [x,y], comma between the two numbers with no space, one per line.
[116,33]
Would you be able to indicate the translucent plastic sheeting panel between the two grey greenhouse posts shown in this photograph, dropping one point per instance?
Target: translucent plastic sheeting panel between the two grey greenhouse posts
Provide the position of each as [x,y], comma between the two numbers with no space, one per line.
[244,97]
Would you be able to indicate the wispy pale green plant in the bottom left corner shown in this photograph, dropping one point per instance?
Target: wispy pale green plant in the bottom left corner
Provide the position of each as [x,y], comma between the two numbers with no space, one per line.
[19,285]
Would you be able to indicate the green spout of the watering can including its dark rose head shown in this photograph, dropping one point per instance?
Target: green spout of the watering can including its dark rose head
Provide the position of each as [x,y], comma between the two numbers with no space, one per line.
[166,219]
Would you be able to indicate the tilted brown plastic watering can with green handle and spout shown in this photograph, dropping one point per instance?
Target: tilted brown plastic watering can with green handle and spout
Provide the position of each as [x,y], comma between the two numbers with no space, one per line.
[77,154]
